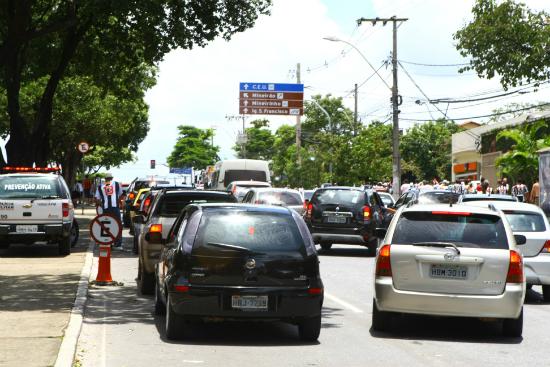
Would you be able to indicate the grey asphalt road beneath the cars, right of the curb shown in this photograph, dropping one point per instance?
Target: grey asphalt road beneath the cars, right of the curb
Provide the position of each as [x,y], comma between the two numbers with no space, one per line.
[120,329]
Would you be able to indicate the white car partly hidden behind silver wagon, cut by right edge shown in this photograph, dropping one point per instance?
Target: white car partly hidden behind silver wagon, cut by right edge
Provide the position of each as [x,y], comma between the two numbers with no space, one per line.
[530,221]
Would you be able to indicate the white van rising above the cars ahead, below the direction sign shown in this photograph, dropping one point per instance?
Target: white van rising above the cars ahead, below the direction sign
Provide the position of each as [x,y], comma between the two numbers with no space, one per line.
[228,171]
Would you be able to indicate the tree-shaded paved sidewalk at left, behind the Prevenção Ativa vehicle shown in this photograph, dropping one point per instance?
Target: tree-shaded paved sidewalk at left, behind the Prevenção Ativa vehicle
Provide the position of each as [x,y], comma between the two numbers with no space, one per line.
[37,293]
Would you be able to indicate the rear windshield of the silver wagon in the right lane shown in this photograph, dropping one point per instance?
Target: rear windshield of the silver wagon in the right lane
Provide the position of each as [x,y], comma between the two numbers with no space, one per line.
[461,229]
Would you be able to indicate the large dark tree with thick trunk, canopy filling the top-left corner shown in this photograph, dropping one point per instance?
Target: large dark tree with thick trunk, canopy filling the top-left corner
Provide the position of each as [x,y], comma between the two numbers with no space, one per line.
[108,40]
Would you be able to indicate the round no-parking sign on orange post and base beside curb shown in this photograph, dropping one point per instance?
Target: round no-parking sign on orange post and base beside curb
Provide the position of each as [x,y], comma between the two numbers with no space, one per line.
[105,229]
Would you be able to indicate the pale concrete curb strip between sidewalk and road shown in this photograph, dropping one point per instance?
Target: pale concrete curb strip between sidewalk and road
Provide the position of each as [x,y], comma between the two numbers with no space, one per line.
[67,351]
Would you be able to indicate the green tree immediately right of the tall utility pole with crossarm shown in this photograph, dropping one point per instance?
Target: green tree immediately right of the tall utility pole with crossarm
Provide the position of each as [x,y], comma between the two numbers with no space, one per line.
[428,146]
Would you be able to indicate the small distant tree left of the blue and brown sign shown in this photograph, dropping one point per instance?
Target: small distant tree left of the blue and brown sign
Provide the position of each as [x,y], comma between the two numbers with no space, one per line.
[193,148]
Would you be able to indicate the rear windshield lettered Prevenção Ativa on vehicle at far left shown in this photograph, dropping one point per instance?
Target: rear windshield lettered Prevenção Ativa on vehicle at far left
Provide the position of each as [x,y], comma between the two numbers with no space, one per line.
[13,187]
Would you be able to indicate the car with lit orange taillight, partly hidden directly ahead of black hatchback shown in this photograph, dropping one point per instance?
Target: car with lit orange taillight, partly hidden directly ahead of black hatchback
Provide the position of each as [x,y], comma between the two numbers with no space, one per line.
[164,210]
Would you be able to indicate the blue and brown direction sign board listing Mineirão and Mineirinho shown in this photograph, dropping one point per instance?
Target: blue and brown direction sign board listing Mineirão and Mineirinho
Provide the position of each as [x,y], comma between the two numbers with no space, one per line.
[271,99]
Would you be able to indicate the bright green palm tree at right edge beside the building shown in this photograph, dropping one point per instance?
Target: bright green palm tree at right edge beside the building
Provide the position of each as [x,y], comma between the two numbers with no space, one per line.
[521,161]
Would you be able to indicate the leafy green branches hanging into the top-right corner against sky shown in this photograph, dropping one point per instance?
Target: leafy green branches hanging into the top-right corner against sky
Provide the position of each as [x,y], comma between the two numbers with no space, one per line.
[506,39]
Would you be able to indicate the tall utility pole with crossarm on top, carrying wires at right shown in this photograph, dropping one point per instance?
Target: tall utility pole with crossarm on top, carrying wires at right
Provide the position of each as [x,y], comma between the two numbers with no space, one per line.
[395,98]
